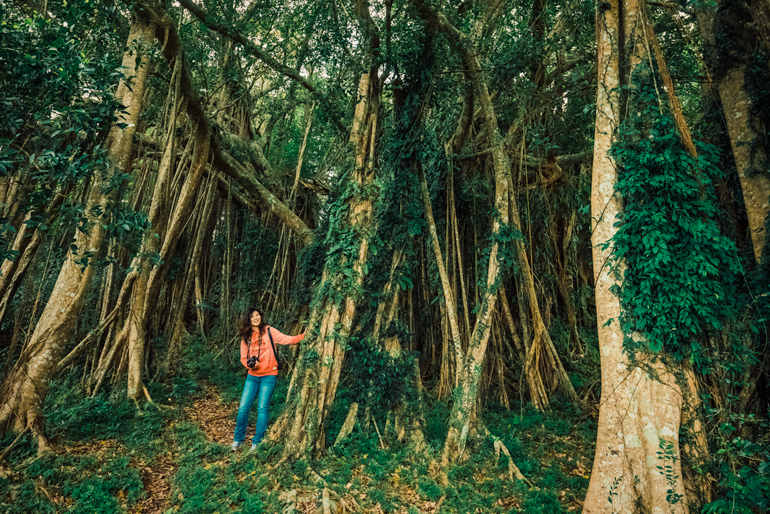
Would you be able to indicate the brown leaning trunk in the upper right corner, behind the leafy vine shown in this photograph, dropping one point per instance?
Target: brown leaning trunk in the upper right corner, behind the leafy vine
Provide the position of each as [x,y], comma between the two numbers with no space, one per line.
[743,124]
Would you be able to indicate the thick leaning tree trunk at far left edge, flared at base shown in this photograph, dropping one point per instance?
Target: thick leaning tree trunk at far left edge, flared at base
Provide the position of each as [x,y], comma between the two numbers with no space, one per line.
[26,386]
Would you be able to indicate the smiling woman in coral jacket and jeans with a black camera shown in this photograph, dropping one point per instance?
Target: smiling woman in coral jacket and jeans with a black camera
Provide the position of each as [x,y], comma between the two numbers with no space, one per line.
[258,356]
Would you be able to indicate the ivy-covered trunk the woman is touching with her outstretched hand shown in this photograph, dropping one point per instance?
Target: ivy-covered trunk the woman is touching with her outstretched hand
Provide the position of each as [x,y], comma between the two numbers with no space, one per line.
[314,382]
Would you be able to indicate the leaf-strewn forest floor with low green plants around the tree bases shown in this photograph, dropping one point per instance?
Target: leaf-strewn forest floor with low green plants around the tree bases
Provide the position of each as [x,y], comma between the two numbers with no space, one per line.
[110,457]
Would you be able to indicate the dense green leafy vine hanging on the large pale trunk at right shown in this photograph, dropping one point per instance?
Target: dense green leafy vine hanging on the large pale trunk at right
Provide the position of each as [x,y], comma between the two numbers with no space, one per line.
[678,269]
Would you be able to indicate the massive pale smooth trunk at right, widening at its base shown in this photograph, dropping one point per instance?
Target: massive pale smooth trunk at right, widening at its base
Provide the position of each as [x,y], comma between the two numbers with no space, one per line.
[637,465]
